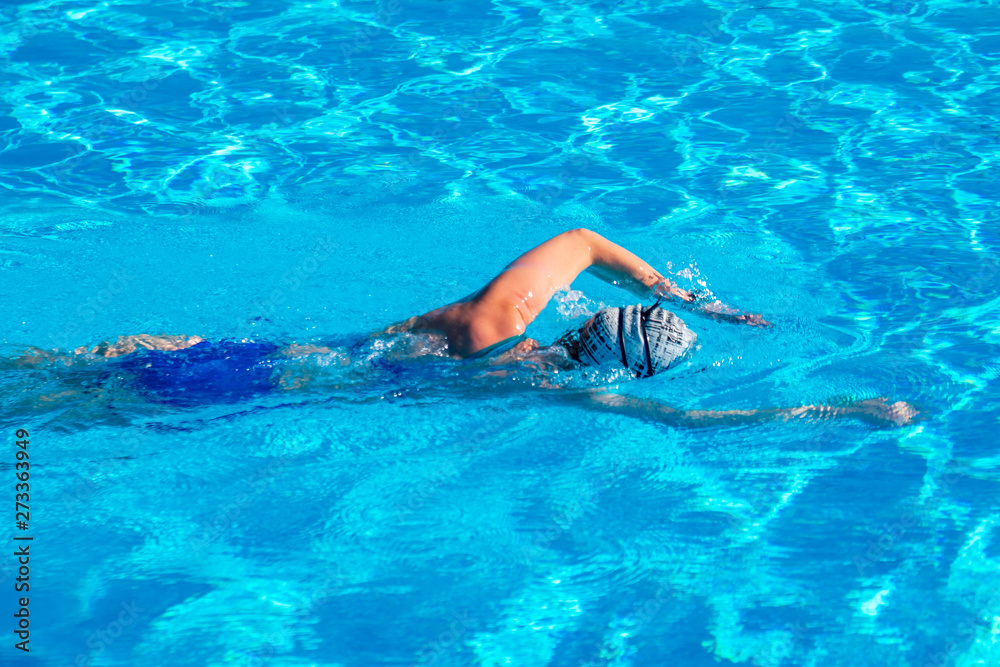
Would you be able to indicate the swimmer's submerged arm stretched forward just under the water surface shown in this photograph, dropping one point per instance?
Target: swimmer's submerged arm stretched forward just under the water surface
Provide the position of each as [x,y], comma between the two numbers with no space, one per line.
[877,412]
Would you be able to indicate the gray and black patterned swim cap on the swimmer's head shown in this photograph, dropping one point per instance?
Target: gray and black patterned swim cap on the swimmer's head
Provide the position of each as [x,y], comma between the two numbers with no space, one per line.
[644,341]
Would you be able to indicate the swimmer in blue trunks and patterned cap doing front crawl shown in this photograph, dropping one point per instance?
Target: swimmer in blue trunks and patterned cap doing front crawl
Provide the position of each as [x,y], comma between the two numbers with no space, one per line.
[492,322]
